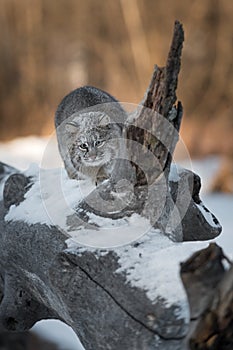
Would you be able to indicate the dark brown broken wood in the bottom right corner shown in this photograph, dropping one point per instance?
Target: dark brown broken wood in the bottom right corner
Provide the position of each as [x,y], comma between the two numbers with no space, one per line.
[209,287]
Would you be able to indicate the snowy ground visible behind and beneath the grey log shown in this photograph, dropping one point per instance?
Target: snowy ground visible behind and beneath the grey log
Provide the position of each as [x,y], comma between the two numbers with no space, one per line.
[21,152]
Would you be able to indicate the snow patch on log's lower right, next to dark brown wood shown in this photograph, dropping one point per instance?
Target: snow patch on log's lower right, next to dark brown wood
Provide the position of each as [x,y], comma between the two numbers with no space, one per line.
[154,266]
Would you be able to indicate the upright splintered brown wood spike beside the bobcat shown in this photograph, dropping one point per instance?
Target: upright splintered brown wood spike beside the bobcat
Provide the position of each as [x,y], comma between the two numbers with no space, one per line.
[157,123]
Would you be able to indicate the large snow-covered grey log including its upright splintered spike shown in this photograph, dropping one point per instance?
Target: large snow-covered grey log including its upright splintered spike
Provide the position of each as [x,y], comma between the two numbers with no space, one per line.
[127,296]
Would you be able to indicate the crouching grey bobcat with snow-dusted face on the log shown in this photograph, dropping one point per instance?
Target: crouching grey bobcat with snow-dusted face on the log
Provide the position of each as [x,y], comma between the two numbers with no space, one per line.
[89,126]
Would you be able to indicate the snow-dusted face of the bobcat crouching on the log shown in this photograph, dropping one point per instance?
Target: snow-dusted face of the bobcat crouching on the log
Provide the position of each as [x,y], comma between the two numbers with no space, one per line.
[93,140]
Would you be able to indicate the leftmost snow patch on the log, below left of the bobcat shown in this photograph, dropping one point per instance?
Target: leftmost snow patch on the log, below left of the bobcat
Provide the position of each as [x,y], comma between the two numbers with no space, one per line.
[50,200]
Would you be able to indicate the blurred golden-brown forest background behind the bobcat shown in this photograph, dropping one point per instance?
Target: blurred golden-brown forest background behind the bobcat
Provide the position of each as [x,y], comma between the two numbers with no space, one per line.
[49,47]
